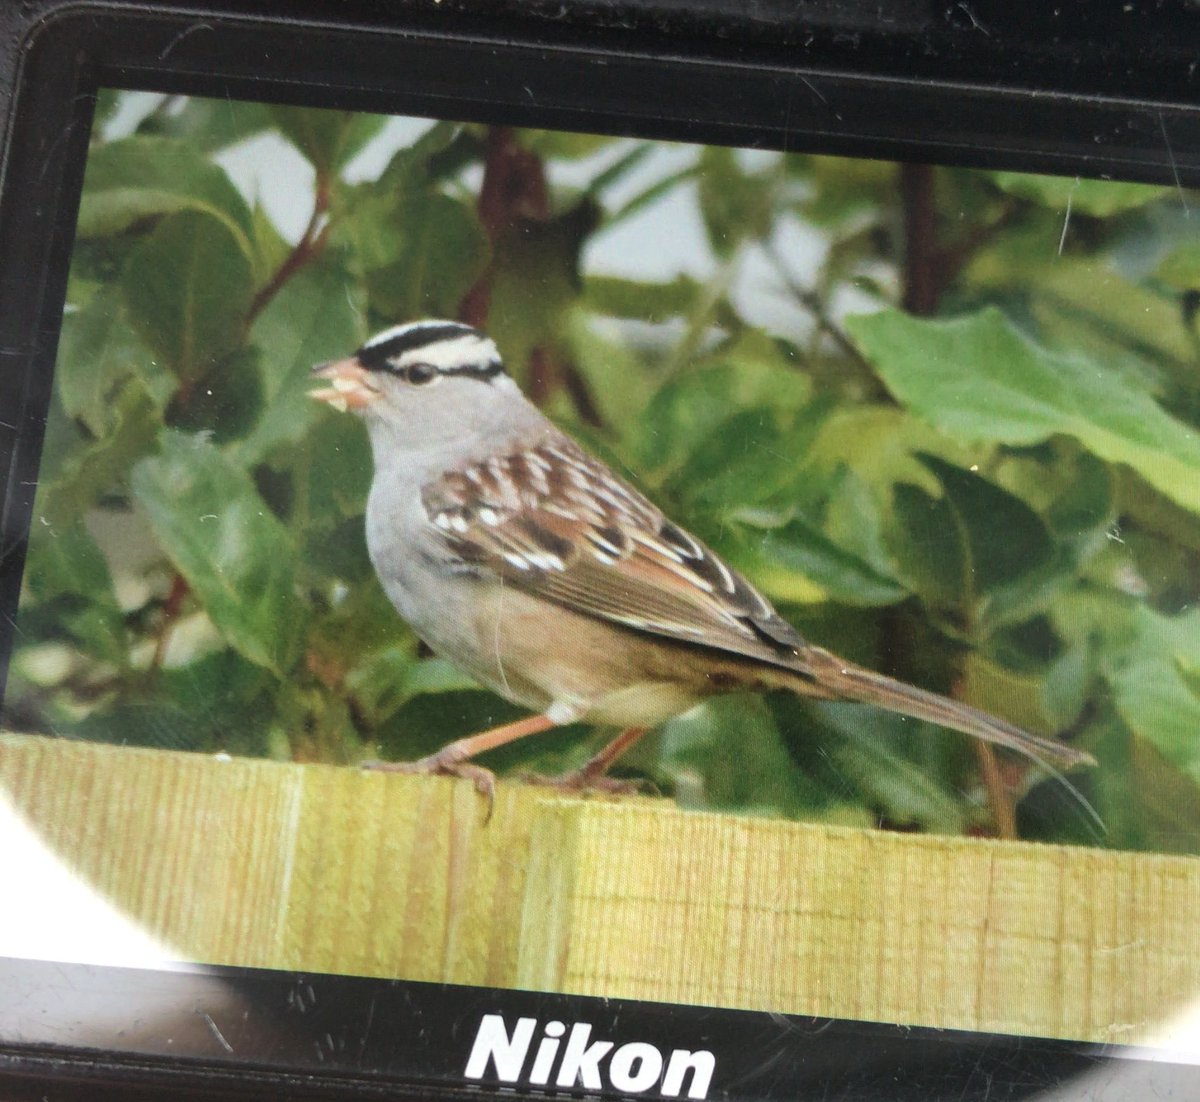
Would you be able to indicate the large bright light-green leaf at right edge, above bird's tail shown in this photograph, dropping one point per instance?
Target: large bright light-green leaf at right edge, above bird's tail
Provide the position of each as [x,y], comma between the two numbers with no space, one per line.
[980,380]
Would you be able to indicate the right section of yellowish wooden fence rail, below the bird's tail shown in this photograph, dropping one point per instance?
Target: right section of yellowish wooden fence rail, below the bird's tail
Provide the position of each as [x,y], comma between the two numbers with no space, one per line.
[656,903]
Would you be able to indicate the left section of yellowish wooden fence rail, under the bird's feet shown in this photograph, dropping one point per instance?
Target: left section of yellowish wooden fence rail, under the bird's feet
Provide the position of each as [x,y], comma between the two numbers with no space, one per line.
[286,866]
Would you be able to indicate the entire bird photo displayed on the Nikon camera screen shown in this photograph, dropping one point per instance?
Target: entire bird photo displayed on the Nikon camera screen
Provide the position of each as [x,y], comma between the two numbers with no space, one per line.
[663,512]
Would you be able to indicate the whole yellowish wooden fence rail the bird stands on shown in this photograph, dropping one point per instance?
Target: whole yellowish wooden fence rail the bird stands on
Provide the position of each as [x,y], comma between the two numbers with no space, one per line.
[331,870]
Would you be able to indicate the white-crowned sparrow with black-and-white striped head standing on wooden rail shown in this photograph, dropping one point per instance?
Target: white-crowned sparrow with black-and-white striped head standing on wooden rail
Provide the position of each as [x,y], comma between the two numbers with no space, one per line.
[532,567]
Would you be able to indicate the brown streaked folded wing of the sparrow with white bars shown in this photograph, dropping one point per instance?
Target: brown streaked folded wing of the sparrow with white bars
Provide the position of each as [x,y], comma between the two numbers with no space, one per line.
[559,524]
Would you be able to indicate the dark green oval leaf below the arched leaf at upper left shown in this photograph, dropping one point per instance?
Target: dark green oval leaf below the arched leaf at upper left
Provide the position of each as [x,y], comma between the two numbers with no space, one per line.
[189,288]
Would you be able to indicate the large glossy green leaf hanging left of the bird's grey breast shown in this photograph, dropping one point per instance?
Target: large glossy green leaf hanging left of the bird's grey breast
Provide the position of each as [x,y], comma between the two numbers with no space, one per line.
[236,556]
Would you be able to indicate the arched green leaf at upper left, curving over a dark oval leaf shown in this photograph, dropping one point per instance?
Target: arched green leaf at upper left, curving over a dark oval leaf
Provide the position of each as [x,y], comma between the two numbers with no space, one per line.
[137,179]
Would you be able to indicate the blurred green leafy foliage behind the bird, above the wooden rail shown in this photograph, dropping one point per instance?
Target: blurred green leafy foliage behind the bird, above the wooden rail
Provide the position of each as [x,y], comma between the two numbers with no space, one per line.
[945,418]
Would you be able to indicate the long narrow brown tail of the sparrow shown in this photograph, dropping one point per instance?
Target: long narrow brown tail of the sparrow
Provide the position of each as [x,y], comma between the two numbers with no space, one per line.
[845,681]
